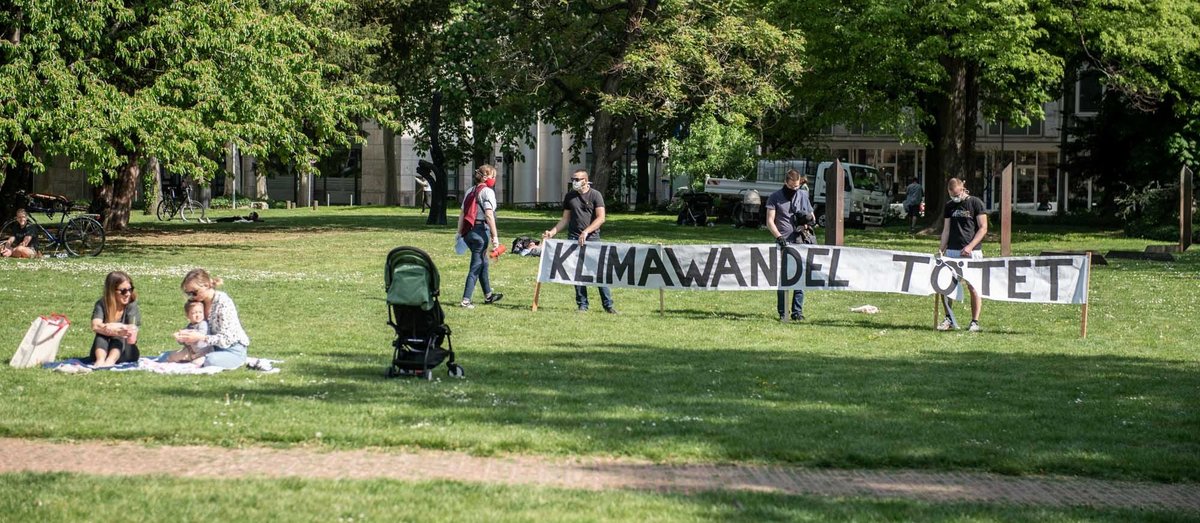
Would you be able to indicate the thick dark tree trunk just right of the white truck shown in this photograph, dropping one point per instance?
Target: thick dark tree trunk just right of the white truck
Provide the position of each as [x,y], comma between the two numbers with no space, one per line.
[952,137]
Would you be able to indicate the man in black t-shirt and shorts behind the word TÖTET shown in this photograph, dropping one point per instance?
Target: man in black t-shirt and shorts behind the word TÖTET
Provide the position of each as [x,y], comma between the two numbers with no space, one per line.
[964,229]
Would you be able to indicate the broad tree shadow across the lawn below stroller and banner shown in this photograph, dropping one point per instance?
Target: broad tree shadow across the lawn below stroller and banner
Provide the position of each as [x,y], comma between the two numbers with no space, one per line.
[1101,417]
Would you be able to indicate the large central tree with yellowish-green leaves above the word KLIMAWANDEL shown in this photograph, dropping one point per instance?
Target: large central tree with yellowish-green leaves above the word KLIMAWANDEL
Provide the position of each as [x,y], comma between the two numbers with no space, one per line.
[607,69]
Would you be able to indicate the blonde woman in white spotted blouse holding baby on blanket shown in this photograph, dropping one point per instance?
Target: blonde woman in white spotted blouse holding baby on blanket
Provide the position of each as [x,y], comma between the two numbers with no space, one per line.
[226,339]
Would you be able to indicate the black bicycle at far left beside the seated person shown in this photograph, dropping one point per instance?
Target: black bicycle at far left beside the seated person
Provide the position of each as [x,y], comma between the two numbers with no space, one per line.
[80,236]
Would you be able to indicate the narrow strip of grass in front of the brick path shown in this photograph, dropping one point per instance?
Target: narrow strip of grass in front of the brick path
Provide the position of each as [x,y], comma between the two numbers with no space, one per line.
[71,498]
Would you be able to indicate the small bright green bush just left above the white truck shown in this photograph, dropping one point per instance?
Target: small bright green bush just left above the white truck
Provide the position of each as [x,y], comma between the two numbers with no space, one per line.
[715,151]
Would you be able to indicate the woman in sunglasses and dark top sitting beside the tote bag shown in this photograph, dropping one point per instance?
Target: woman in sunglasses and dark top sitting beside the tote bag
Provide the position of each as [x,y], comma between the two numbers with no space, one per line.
[116,322]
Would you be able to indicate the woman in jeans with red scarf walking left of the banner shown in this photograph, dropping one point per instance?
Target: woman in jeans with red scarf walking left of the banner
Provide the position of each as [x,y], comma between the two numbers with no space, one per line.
[477,226]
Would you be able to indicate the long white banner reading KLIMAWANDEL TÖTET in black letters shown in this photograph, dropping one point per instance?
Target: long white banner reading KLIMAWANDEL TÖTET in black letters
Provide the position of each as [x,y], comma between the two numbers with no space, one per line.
[758,267]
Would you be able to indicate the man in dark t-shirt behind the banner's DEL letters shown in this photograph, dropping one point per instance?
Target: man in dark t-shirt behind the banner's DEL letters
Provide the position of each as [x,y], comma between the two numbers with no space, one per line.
[789,212]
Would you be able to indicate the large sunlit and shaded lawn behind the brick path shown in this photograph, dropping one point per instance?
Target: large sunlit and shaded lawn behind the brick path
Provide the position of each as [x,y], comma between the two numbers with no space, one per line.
[717,378]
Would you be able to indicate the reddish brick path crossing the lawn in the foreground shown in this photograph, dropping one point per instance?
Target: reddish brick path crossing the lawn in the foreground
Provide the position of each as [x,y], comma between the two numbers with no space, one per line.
[124,459]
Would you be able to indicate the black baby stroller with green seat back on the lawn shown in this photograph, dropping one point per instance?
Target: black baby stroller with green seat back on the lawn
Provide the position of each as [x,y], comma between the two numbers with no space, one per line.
[412,284]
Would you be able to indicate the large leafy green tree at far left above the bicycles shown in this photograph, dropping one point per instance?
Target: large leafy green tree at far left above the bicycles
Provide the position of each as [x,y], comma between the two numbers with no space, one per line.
[177,81]
